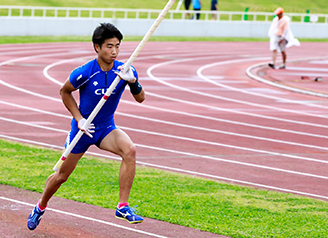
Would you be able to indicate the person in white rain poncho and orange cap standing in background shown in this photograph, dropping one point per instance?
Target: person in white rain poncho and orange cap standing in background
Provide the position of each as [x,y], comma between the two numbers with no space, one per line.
[281,37]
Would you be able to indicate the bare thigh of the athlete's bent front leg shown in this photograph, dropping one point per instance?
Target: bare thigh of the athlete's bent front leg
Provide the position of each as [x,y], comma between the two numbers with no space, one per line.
[117,142]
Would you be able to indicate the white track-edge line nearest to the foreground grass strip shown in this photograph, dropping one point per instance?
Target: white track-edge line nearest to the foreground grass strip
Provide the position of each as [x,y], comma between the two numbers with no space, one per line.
[179,170]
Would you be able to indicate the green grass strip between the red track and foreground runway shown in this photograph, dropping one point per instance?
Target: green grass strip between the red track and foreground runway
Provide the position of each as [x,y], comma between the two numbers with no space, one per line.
[203,204]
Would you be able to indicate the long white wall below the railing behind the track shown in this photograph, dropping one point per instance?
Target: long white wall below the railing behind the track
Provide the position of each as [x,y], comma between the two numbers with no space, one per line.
[22,26]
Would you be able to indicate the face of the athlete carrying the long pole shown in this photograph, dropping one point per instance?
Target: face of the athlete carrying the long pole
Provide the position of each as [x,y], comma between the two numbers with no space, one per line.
[108,51]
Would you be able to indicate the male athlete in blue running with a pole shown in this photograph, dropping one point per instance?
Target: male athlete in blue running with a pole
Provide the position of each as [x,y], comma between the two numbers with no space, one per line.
[92,79]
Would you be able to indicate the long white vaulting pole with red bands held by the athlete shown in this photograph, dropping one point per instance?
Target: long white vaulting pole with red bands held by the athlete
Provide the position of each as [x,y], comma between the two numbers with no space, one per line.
[115,82]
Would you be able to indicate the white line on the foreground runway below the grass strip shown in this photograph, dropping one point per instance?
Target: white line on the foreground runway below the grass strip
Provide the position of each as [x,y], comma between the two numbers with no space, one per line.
[84,217]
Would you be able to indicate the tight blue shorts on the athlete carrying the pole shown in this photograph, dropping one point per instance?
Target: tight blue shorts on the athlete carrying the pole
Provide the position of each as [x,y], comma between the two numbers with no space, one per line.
[85,141]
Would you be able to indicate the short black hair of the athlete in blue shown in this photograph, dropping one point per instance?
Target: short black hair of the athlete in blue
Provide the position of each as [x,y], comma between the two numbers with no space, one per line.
[103,32]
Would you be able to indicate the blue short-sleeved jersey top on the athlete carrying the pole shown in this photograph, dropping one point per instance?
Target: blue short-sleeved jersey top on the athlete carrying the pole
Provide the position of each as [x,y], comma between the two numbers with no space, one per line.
[92,84]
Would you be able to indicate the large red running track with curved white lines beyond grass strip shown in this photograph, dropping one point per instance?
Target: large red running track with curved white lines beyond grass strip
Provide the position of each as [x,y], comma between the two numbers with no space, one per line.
[202,115]
